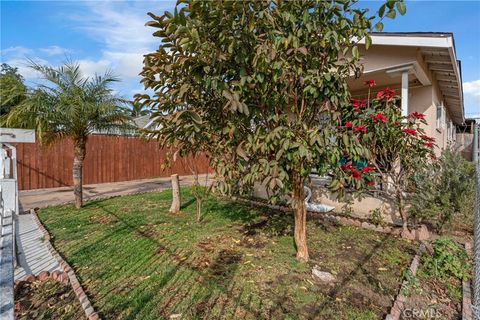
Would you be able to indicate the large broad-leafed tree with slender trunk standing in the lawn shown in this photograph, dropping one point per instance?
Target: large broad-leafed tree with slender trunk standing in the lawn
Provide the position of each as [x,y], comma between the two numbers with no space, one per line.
[263,82]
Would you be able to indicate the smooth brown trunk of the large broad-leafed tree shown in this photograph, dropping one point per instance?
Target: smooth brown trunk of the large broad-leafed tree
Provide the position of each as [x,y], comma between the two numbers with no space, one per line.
[300,213]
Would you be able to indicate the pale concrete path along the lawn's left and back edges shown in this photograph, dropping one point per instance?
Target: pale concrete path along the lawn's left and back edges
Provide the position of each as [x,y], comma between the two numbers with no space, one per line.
[33,255]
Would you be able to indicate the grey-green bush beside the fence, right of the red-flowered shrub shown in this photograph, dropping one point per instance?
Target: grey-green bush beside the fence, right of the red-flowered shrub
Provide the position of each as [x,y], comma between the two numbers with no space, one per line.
[445,193]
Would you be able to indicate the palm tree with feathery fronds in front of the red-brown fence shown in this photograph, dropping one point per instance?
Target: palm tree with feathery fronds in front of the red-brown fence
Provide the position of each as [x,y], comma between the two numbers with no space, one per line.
[70,106]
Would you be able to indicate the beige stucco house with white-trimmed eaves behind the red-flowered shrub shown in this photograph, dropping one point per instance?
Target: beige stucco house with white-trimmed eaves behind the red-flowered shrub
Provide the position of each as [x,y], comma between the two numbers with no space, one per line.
[423,68]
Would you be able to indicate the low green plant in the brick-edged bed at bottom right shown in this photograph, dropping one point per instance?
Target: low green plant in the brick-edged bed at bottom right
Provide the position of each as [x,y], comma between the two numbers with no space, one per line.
[448,260]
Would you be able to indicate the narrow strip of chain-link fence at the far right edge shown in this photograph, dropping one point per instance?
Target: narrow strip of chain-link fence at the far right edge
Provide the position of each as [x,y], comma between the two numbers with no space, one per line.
[476,283]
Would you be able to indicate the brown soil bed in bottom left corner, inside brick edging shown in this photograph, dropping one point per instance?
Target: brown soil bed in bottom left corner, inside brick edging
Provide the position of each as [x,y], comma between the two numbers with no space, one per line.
[48,299]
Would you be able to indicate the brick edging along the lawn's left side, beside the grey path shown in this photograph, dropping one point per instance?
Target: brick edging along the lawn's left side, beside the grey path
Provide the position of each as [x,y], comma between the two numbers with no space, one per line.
[77,288]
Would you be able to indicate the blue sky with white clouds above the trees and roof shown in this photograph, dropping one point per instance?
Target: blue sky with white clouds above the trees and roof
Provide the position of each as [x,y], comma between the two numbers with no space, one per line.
[110,35]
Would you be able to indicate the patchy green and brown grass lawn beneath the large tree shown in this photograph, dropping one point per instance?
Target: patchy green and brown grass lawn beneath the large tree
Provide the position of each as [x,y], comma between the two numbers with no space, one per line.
[136,261]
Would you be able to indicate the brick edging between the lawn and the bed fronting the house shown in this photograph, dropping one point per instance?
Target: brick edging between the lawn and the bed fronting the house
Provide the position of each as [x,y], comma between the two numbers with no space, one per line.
[420,234]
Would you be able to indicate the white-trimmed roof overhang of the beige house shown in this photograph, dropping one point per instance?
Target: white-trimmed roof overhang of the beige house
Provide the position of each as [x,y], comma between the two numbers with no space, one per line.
[438,52]
